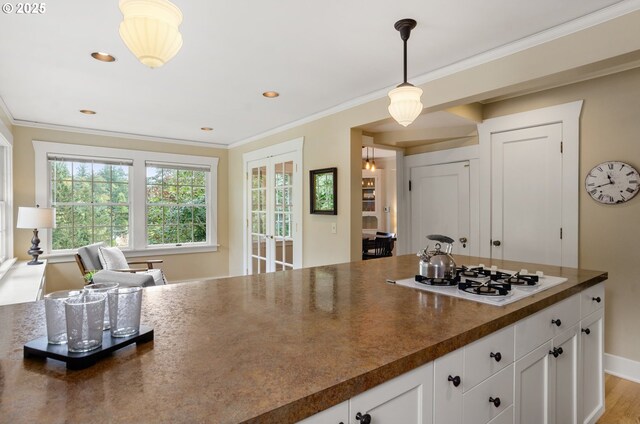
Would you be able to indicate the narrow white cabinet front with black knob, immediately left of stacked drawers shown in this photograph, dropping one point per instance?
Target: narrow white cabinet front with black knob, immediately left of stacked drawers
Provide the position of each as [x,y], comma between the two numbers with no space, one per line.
[447,397]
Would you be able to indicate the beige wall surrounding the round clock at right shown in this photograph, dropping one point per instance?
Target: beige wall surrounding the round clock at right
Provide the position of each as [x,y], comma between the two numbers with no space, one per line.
[609,235]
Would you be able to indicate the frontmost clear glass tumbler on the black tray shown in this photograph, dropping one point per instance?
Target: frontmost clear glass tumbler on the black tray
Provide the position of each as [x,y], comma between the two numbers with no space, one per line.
[85,317]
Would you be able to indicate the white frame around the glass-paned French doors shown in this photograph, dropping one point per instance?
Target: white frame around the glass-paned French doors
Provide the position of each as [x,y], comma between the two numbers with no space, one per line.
[295,147]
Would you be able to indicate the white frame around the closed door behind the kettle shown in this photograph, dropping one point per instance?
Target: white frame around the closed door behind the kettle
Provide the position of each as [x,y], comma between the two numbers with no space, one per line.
[468,153]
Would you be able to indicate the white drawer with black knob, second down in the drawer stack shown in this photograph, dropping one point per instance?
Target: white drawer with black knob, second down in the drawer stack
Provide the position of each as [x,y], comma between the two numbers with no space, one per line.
[476,406]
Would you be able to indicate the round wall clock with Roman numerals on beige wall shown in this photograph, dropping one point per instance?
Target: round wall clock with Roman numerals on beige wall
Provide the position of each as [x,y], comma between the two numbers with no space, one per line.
[612,182]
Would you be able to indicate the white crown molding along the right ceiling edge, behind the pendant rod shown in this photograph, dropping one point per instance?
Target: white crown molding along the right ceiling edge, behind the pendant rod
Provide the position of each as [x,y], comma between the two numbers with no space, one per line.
[603,15]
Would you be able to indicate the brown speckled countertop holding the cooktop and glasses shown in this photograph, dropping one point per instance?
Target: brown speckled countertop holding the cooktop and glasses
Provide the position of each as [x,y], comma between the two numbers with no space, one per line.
[273,348]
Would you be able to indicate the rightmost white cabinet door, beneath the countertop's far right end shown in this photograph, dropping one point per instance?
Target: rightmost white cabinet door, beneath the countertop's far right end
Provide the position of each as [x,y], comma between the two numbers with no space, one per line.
[592,373]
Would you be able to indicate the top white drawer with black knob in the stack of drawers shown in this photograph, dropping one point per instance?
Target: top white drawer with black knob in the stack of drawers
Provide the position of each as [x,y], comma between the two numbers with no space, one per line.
[487,356]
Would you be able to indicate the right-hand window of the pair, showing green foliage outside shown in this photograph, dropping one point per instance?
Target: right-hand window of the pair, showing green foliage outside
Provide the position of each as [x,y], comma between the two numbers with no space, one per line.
[176,204]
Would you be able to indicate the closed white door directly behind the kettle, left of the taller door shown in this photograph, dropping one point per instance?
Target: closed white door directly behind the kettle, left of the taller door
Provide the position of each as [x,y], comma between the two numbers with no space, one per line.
[440,205]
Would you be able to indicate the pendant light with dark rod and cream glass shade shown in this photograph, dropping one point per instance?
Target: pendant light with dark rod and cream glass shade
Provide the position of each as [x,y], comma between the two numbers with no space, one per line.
[405,103]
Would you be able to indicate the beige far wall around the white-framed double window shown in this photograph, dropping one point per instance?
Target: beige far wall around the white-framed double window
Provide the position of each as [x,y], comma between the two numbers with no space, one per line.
[66,275]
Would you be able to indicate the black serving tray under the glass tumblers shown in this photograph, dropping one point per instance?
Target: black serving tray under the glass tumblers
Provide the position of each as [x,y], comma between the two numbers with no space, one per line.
[79,360]
